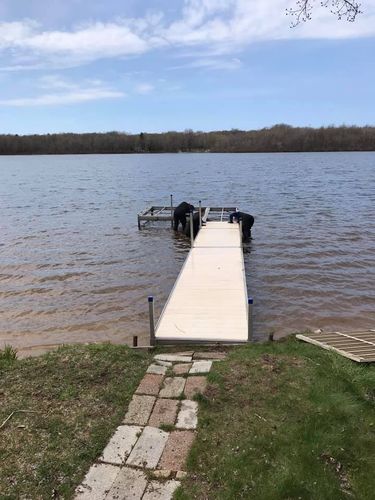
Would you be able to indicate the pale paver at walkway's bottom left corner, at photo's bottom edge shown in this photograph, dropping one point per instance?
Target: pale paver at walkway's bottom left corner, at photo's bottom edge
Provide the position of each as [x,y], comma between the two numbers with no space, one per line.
[97,482]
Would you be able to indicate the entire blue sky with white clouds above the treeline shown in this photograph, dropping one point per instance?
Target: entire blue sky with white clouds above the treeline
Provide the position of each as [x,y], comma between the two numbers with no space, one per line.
[152,66]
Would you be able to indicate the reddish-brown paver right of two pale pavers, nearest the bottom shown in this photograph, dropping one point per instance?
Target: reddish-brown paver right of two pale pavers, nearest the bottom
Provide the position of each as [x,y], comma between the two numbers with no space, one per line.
[176,450]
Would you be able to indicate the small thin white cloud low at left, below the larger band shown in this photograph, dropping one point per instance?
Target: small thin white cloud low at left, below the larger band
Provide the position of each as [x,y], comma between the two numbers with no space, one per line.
[65,92]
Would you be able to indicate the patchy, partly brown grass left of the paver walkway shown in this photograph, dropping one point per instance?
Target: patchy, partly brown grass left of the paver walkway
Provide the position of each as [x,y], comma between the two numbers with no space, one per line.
[72,400]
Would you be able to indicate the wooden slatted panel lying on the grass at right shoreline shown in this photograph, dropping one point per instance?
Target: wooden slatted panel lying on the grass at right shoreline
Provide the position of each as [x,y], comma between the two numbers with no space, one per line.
[358,346]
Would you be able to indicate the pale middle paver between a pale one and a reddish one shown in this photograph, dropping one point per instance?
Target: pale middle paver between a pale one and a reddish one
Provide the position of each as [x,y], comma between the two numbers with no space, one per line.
[147,452]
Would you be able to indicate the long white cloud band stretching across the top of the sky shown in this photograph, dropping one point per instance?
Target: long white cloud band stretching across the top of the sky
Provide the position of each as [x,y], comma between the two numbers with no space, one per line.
[219,26]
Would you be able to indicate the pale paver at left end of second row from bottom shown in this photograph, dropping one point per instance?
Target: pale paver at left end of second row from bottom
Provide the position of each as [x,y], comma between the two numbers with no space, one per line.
[120,444]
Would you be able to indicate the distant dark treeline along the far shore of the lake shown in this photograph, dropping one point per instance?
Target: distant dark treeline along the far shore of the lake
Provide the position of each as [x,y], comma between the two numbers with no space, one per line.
[279,138]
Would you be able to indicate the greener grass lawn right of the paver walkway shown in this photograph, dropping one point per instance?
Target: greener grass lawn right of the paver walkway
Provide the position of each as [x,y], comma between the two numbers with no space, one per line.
[285,420]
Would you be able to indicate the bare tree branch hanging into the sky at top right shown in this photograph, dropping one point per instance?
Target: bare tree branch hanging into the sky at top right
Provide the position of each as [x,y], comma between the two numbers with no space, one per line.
[343,9]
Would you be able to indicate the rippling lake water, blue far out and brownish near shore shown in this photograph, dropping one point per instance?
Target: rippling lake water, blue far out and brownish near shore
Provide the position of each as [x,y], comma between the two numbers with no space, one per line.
[74,266]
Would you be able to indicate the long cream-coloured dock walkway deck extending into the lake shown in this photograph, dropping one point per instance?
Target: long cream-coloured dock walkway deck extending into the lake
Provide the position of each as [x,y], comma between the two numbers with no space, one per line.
[208,303]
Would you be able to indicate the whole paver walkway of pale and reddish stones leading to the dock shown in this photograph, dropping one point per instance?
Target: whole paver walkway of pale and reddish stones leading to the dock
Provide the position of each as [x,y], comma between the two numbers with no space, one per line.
[145,458]
